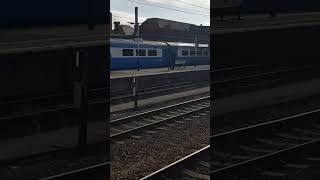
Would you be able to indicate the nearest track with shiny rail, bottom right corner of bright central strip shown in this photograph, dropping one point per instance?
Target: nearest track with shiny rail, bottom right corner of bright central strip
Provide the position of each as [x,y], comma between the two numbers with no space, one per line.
[193,166]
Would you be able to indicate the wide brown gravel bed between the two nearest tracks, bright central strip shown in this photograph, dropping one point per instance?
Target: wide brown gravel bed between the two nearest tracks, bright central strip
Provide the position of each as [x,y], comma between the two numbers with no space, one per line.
[149,151]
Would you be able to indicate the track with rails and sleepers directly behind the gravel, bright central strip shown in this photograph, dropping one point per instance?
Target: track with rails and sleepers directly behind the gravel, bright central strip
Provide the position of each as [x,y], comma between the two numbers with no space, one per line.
[121,128]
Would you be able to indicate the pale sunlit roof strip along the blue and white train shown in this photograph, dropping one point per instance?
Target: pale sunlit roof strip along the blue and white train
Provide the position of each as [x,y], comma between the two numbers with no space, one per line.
[156,43]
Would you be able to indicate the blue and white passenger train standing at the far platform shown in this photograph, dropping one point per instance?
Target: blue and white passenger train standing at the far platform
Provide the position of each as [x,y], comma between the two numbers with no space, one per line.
[132,54]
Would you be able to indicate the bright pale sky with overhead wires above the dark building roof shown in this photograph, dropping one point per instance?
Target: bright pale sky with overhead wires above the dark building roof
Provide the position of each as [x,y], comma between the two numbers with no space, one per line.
[189,11]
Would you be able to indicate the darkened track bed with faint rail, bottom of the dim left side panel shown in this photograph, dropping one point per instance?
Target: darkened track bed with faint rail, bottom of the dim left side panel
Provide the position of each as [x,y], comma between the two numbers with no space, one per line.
[69,163]
